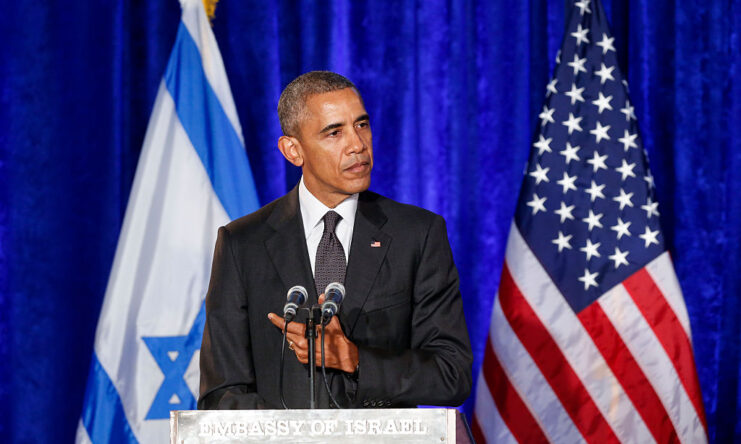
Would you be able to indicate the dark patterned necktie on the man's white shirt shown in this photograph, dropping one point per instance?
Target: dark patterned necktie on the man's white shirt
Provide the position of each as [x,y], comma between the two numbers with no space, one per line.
[330,264]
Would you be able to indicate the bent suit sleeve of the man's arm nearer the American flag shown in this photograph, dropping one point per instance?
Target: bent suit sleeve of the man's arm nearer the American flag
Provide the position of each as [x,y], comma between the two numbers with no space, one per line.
[436,370]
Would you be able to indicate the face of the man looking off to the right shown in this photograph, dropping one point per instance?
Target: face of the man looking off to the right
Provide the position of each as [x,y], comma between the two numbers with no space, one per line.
[336,146]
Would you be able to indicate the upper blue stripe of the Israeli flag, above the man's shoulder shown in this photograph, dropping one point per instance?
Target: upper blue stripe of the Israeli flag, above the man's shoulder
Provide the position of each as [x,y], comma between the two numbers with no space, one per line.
[209,129]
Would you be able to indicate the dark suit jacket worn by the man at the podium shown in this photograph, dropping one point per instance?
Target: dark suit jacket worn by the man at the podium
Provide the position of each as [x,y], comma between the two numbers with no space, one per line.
[402,309]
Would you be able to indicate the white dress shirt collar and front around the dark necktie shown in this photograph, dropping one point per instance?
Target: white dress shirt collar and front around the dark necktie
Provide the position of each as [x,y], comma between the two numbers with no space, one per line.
[312,214]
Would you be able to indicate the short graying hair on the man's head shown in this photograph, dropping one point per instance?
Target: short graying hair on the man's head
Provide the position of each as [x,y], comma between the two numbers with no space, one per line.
[292,102]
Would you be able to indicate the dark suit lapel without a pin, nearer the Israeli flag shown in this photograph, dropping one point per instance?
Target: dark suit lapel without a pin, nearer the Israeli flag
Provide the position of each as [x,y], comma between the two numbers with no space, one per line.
[287,247]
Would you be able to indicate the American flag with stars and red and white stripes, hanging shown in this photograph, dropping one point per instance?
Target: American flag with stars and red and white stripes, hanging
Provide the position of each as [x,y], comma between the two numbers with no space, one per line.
[589,339]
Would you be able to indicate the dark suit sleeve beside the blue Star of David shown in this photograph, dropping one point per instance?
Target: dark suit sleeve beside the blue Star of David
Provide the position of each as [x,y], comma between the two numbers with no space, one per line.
[227,371]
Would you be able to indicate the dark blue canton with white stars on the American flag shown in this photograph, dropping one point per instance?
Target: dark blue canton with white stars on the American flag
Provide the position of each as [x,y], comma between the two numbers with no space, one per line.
[587,206]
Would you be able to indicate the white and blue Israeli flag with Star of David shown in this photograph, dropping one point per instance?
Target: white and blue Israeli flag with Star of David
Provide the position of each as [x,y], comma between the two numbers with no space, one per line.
[193,176]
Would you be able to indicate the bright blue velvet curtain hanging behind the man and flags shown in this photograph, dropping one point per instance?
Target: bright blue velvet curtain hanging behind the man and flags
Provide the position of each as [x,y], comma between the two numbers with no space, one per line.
[453,89]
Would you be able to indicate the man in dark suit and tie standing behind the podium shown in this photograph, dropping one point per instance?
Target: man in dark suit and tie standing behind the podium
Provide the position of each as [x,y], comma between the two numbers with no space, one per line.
[401,338]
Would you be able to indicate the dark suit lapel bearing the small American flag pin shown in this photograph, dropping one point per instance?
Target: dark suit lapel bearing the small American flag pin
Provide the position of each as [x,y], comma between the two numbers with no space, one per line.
[368,249]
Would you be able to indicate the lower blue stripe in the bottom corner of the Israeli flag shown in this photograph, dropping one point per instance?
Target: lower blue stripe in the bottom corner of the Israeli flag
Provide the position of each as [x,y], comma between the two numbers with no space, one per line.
[103,413]
